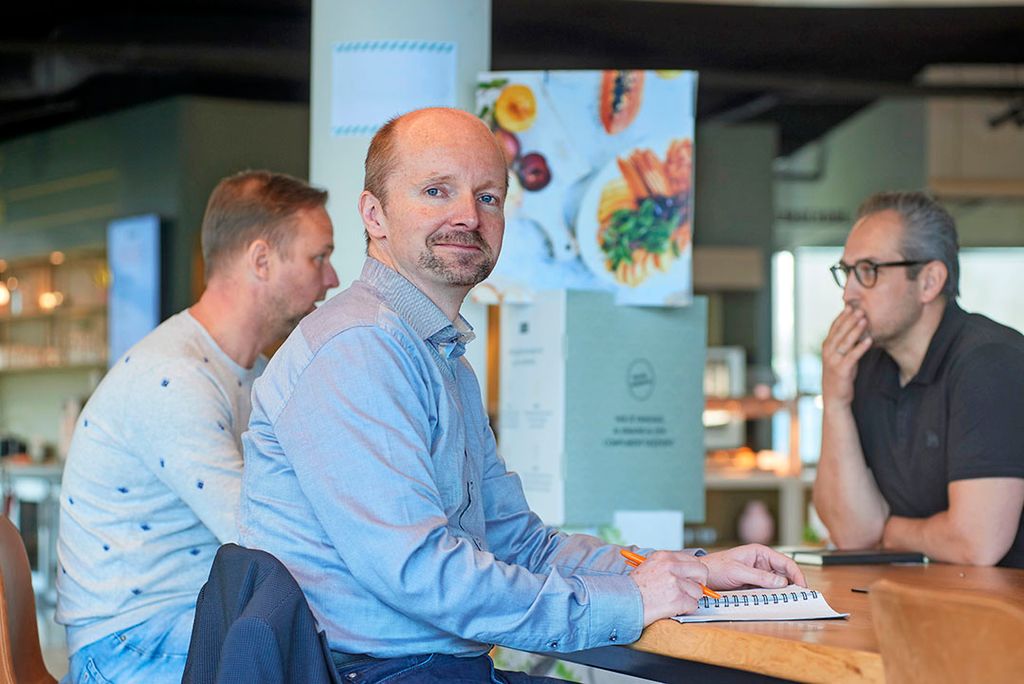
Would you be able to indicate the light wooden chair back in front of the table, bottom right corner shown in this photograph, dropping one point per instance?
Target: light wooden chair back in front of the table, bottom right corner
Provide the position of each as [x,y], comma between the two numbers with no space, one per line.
[935,636]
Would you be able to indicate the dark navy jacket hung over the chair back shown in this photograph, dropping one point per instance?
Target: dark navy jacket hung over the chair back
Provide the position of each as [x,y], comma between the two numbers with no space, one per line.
[253,625]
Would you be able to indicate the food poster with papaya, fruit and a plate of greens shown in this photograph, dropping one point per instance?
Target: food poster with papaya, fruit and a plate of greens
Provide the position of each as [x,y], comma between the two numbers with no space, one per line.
[602,182]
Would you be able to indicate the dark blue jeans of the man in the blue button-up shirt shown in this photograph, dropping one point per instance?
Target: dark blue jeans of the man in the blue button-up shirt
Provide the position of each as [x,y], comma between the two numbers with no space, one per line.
[434,668]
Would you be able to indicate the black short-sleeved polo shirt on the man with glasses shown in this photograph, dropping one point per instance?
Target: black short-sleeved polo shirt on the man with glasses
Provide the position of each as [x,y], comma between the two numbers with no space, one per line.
[962,417]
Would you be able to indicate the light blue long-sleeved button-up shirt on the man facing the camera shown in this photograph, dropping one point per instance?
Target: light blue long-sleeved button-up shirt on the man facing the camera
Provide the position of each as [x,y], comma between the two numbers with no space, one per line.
[372,474]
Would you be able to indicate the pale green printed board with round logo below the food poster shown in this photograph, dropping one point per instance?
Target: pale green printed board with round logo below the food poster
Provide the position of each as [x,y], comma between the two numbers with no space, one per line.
[602,406]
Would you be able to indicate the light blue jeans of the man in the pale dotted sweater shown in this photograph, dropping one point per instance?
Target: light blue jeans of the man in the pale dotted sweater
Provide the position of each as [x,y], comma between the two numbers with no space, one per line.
[154,653]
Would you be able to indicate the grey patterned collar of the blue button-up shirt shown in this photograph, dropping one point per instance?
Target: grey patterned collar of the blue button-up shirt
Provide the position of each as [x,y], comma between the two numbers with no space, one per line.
[418,311]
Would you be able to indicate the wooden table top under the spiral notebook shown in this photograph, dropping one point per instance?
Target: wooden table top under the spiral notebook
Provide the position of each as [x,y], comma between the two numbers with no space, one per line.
[822,651]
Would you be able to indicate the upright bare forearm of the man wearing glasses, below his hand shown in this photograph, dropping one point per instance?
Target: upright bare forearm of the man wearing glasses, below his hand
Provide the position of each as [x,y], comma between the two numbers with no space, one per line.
[845,493]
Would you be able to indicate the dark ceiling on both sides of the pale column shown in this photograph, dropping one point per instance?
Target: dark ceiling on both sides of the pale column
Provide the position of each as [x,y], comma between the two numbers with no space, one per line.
[804,69]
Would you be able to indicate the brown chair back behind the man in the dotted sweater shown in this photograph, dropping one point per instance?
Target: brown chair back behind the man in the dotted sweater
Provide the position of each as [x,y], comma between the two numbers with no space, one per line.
[21,657]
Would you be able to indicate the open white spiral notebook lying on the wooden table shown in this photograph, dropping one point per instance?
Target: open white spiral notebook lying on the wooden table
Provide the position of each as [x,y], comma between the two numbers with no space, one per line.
[794,603]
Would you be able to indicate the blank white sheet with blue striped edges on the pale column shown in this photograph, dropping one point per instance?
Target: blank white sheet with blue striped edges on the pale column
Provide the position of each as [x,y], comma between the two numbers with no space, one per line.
[375,80]
